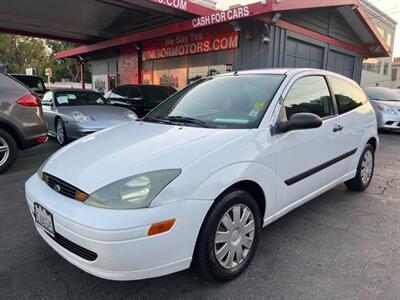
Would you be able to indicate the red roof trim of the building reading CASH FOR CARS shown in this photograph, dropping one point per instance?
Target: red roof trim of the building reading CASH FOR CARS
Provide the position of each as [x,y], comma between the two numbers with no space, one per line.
[351,10]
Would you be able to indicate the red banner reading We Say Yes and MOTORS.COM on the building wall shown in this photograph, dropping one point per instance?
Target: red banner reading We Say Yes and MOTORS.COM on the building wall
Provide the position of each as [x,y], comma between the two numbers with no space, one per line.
[190,43]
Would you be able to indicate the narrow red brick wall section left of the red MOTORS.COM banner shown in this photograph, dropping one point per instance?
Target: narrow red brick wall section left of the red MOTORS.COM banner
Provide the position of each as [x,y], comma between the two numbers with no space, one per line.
[128,65]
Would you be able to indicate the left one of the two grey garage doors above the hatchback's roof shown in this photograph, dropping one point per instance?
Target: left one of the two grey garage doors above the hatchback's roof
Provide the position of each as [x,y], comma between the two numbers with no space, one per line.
[303,55]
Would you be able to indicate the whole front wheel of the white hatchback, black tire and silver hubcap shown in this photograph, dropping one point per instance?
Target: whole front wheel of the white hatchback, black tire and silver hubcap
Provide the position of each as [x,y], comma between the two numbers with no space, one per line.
[225,256]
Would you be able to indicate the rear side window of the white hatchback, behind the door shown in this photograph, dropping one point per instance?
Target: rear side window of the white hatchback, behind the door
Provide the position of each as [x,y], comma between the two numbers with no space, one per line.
[348,95]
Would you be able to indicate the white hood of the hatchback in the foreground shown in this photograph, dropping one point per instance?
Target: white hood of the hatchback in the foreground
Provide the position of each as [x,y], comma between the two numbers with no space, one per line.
[133,148]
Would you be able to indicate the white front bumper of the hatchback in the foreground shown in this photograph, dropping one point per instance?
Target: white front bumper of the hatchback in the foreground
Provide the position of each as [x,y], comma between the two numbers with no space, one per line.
[119,238]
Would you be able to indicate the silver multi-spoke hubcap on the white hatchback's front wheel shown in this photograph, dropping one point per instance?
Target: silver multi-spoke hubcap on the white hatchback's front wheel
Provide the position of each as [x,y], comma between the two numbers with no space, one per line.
[234,236]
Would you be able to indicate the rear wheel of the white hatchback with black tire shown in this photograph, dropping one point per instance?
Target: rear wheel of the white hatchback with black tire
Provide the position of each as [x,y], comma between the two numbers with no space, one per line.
[365,170]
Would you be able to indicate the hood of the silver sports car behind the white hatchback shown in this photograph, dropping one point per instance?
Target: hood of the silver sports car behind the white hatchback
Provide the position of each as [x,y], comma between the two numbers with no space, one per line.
[97,112]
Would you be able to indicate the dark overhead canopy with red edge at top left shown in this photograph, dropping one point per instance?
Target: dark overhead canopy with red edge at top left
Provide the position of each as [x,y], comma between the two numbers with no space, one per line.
[91,21]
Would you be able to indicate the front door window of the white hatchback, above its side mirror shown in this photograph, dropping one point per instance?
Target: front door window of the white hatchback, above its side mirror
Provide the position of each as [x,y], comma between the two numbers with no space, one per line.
[309,95]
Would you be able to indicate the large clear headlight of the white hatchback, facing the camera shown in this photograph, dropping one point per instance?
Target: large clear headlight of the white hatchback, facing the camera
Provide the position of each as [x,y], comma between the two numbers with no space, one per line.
[133,192]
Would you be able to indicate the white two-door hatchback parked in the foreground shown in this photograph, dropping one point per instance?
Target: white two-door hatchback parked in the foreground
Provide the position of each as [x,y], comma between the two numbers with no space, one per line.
[197,178]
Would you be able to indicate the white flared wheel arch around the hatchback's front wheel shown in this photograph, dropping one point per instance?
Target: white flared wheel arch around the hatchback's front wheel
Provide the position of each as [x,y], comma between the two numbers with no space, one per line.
[224,178]
